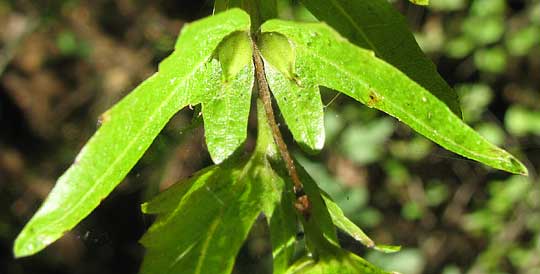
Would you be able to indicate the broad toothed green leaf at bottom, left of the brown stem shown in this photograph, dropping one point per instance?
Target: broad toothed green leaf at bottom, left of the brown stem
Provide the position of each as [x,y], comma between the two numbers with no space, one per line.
[197,236]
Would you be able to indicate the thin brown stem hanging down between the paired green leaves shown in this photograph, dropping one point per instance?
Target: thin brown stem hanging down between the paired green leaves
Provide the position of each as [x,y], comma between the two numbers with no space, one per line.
[302,203]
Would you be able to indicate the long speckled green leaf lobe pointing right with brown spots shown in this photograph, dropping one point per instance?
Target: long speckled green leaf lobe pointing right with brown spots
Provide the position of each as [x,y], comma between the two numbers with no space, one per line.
[324,57]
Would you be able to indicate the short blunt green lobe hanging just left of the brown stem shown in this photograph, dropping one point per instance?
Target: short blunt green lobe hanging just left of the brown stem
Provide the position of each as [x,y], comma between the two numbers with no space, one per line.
[226,102]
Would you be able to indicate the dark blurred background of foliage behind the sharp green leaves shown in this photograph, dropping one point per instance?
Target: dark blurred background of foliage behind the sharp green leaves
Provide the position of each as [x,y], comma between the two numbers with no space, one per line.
[62,63]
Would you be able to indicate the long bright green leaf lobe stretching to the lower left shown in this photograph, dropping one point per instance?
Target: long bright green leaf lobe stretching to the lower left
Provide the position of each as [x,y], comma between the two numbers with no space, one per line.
[127,130]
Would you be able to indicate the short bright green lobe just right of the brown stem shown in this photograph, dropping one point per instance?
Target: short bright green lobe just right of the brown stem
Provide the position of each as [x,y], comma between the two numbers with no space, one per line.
[299,103]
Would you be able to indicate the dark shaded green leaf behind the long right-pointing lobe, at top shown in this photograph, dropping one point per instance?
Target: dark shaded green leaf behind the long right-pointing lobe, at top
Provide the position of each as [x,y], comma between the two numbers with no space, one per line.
[377,26]
